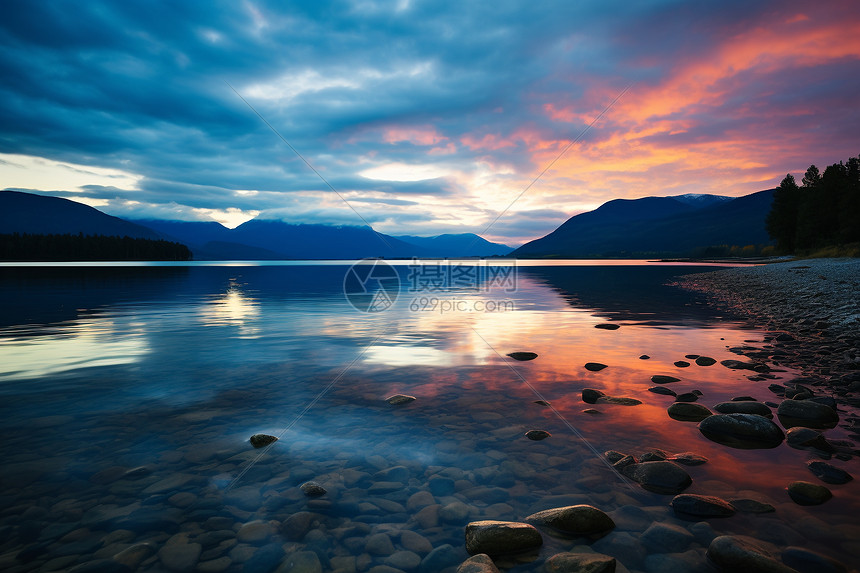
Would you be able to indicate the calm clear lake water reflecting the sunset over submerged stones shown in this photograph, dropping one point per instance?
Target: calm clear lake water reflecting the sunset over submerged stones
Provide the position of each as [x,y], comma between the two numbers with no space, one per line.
[129,394]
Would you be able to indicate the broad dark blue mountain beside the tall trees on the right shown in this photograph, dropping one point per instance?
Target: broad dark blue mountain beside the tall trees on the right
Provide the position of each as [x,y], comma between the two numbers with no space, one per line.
[657,226]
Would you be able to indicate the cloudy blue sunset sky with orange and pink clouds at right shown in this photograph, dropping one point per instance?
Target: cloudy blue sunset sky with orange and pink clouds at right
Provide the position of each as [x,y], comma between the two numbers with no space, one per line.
[499,118]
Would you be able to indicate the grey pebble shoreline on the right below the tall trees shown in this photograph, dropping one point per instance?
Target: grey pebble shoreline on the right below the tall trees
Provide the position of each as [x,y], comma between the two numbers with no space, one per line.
[812,308]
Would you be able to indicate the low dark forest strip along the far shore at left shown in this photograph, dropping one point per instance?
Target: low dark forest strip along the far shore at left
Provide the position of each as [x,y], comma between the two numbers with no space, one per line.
[80,247]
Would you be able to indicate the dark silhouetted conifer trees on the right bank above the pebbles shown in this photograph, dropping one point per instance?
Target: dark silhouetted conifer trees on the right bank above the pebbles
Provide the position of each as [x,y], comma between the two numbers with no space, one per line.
[823,211]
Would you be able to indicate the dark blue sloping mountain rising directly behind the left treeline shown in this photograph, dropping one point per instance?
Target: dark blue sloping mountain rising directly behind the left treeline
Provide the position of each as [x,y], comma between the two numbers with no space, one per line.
[42,215]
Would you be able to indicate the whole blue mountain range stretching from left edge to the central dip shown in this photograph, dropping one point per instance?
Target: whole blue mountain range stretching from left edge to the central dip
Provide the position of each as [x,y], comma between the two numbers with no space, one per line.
[258,239]
